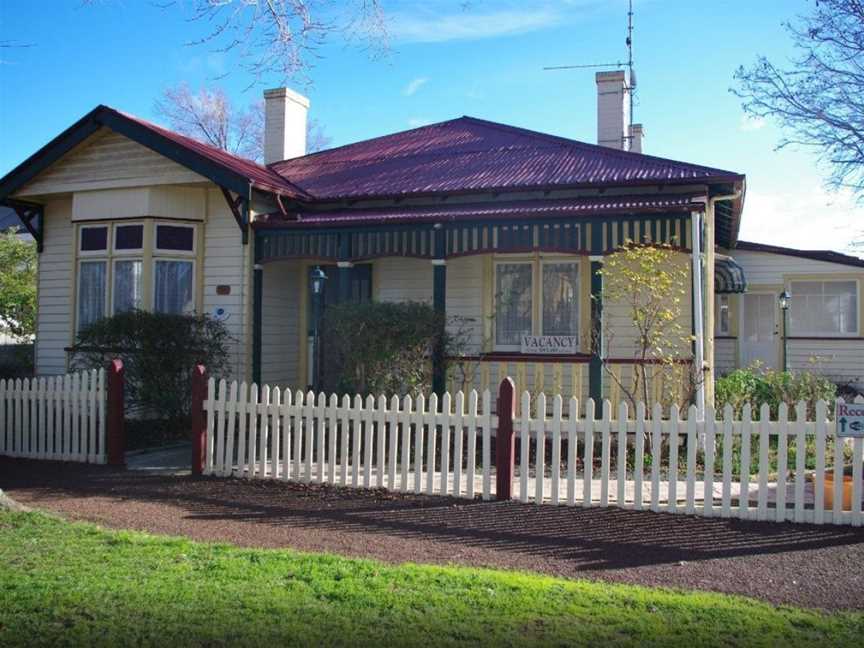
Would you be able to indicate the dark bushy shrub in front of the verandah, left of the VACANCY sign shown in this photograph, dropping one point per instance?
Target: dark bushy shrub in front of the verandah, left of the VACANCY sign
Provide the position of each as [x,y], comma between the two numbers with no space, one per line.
[380,347]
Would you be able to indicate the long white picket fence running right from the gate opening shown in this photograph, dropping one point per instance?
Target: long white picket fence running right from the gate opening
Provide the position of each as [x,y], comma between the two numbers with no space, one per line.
[413,445]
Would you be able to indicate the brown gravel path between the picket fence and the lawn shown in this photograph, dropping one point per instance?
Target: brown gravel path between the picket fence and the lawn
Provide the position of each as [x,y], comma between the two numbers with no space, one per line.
[805,565]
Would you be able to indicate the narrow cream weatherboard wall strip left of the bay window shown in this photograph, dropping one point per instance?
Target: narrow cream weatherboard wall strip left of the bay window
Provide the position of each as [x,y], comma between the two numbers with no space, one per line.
[55,288]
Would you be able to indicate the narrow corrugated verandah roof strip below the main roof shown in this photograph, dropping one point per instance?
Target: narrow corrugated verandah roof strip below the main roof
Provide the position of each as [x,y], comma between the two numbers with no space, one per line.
[580,207]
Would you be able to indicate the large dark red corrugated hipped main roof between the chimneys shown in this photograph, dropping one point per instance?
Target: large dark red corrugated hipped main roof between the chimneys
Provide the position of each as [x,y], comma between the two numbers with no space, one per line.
[469,154]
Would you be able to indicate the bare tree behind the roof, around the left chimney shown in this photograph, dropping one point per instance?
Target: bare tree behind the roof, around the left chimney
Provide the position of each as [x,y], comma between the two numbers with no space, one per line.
[209,116]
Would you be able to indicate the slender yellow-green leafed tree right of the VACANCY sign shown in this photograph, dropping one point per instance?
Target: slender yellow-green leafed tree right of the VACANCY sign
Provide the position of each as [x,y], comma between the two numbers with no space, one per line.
[647,285]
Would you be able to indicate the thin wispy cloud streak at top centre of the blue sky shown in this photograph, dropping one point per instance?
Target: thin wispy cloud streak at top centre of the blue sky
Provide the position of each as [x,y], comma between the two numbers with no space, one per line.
[436,27]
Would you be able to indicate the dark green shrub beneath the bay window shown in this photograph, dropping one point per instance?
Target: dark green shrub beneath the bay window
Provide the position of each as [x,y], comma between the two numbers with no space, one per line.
[158,351]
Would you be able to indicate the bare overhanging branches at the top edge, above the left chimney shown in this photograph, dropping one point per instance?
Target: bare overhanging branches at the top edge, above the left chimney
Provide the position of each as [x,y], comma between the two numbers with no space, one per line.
[279,39]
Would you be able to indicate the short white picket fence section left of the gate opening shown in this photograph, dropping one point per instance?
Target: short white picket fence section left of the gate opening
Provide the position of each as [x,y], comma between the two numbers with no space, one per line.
[59,417]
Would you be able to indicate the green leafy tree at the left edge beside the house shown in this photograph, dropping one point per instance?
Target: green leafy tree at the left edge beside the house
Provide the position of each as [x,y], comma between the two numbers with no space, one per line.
[18,263]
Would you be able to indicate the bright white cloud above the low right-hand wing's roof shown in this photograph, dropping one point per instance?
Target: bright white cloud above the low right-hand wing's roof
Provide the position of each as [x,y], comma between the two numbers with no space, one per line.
[806,218]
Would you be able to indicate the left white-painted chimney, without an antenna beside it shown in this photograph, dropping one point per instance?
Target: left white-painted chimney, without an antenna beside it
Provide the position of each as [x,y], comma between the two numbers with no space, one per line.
[284,124]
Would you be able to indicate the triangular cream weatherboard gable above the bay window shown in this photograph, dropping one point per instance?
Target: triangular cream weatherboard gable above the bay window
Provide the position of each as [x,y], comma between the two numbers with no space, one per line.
[107,160]
